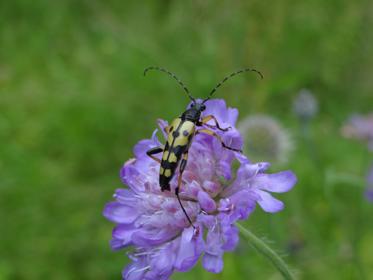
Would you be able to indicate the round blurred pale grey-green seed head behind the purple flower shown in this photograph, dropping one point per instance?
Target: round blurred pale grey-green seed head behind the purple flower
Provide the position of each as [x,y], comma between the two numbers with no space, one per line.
[265,139]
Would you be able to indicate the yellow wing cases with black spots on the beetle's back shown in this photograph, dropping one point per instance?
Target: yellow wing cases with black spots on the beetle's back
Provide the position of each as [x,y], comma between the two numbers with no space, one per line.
[178,142]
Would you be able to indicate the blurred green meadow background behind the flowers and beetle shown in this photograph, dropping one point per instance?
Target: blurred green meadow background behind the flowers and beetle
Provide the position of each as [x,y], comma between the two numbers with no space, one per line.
[73,102]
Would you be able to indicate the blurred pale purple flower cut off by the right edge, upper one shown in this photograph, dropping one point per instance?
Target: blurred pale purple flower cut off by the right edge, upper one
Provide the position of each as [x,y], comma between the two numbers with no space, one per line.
[360,127]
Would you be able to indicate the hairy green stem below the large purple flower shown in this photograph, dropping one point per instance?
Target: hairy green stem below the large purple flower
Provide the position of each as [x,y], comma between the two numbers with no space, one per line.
[263,248]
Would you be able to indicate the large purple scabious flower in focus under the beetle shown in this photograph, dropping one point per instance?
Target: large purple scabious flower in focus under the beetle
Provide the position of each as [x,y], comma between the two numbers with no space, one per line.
[214,196]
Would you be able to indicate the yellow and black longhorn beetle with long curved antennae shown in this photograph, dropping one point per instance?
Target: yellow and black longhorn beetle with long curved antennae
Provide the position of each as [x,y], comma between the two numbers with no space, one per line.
[181,132]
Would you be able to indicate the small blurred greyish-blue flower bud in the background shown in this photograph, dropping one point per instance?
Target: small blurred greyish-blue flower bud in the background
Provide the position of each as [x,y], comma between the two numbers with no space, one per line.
[305,105]
